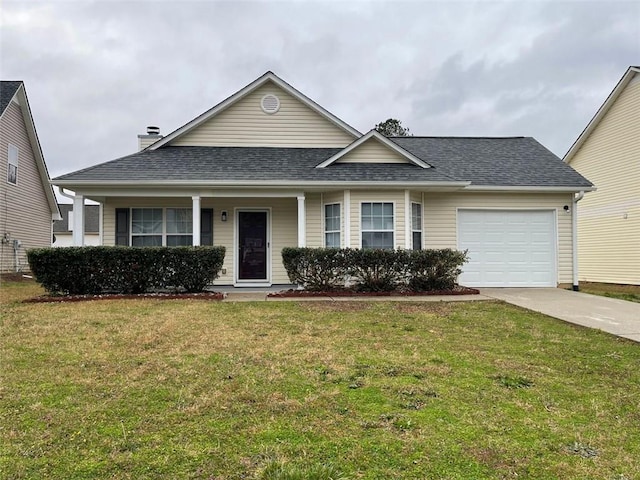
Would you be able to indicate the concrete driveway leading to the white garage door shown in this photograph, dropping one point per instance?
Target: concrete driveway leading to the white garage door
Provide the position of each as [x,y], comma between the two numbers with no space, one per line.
[618,317]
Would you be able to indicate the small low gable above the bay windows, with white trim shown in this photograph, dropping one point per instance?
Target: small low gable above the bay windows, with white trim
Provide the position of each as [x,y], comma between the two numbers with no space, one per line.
[374,148]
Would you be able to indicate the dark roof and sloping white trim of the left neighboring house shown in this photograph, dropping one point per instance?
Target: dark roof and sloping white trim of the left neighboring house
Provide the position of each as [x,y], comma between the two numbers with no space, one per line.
[20,96]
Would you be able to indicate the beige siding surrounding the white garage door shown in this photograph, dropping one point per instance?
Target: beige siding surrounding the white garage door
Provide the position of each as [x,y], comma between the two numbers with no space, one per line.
[440,214]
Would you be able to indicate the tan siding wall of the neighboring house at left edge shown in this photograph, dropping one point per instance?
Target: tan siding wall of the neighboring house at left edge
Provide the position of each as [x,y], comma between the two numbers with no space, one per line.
[24,211]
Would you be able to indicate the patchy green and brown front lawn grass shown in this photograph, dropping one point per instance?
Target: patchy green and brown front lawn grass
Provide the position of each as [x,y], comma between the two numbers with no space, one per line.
[176,389]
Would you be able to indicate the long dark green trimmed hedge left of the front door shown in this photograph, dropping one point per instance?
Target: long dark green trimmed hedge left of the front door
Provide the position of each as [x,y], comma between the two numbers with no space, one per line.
[96,270]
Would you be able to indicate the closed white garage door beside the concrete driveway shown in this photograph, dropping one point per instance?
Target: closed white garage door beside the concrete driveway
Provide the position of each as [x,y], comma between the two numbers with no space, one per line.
[508,248]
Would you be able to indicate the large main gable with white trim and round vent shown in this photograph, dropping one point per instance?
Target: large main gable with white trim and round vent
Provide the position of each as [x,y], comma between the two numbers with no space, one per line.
[240,120]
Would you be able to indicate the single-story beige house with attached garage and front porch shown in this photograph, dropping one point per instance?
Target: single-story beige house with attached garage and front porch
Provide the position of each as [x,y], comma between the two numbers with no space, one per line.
[269,168]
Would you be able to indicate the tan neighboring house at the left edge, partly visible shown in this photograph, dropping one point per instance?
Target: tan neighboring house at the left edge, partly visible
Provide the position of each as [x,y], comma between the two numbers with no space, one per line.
[27,202]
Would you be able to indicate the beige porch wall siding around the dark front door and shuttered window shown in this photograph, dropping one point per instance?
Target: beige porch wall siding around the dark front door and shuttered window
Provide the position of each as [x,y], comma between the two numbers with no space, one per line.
[283,222]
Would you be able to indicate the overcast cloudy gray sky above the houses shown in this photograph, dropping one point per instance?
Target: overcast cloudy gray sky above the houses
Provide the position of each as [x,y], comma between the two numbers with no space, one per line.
[98,72]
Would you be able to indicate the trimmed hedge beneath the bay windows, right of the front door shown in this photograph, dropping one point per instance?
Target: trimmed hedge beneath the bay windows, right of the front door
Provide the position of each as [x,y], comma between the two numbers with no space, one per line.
[326,269]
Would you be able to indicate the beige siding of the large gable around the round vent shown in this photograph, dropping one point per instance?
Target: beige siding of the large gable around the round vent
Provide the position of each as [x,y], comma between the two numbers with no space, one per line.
[245,124]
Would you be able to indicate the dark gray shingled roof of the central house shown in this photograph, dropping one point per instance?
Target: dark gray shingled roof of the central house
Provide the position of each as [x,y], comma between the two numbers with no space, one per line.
[482,161]
